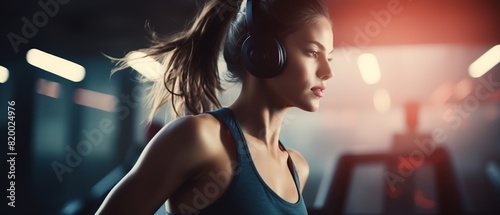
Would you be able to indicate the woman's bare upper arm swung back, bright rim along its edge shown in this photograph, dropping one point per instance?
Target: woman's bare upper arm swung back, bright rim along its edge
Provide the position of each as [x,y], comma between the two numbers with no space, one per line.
[164,165]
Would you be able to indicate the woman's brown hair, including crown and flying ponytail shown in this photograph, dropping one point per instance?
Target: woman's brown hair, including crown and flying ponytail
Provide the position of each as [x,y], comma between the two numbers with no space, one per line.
[189,58]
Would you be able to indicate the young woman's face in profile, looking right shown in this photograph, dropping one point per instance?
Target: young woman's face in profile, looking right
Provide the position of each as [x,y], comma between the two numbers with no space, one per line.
[308,67]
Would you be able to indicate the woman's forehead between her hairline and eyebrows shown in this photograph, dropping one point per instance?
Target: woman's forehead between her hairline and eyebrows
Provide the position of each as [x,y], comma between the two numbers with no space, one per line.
[319,29]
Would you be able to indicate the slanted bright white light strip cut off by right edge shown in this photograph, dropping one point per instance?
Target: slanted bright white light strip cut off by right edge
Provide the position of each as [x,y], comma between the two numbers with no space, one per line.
[485,63]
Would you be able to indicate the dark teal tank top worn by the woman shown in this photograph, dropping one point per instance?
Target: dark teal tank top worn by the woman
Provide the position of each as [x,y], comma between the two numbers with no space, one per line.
[247,193]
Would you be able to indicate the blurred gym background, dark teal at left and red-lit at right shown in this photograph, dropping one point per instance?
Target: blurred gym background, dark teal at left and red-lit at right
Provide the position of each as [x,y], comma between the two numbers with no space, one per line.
[410,124]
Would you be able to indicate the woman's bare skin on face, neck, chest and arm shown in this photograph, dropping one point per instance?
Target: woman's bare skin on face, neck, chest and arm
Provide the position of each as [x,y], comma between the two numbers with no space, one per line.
[186,153]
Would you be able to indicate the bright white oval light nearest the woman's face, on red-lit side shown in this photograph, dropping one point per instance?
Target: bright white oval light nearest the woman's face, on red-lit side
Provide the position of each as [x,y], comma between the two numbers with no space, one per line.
[369,68]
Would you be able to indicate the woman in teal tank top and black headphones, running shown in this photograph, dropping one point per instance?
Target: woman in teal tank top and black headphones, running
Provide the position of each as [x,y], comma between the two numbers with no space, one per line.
[230,161]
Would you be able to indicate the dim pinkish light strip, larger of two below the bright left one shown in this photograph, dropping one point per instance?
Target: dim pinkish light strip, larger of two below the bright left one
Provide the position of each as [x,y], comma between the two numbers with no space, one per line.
[95,100]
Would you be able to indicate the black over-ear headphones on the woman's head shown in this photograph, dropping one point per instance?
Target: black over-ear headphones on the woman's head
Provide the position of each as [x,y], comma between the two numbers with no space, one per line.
[263,55]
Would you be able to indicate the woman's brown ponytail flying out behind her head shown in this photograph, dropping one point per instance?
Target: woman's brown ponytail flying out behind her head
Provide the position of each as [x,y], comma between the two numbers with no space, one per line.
[190,76]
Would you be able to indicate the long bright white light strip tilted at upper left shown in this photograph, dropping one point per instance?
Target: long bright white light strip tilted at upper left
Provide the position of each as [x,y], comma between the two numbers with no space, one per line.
[56,65]
